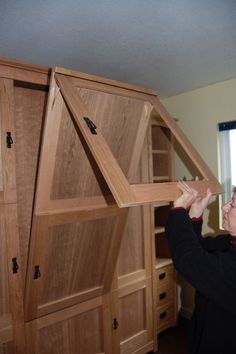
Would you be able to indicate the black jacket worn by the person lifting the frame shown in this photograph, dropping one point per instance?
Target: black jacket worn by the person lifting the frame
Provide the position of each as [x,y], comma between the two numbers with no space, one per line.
[210,266]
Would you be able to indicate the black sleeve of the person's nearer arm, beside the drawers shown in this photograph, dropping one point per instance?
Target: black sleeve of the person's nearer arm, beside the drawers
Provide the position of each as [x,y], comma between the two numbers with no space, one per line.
[200,268]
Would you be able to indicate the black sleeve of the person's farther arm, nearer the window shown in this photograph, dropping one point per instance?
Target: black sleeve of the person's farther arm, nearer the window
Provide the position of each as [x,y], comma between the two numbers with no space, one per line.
[210,244]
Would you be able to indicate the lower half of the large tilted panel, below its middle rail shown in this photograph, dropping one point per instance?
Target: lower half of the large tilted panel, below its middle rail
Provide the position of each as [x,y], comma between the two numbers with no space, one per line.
[72,259]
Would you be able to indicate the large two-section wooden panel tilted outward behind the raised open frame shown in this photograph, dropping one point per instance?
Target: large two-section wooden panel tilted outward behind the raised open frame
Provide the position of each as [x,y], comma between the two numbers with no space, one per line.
[77,225]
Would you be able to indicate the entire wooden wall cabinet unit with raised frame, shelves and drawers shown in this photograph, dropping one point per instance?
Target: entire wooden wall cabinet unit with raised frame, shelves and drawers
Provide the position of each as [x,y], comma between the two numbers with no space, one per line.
[84,266]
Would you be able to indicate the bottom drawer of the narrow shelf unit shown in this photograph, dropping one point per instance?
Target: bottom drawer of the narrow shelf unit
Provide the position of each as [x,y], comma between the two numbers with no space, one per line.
[165,317]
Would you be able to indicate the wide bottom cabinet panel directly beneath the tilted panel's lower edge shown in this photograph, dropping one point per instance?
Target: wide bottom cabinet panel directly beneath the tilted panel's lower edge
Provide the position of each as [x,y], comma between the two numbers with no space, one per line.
[78,329]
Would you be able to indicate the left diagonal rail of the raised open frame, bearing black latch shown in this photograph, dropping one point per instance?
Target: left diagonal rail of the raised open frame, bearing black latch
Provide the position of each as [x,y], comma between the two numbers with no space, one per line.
[102,154]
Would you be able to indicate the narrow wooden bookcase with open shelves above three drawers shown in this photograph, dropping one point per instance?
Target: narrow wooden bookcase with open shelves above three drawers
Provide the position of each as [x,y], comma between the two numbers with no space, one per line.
[162,169]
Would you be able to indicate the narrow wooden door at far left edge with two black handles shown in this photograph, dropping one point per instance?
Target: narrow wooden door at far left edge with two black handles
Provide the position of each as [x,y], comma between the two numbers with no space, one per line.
[11,287]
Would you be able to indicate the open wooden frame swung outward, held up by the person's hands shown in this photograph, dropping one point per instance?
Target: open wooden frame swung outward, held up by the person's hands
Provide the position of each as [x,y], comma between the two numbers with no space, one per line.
[124,194]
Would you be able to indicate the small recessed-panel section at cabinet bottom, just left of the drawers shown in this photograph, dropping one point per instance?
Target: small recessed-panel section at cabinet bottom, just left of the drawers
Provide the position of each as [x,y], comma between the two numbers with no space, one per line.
[135,318]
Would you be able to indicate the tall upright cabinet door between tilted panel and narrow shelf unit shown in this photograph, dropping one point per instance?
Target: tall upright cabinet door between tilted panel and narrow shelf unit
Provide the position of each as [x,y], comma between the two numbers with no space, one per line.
[134,275]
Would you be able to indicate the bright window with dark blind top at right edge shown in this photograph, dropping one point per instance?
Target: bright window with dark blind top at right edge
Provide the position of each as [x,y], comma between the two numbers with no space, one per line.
[227,145]
